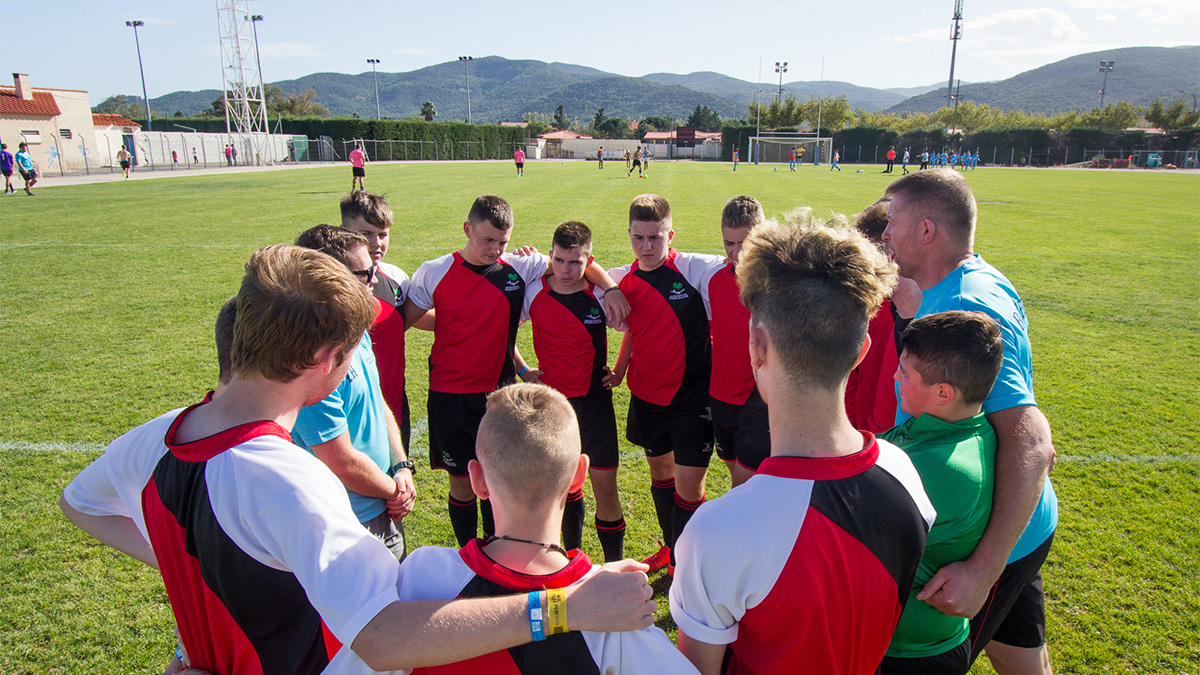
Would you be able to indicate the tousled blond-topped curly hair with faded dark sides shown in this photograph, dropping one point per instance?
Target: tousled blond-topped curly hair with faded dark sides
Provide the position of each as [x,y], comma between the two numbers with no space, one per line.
[814,289]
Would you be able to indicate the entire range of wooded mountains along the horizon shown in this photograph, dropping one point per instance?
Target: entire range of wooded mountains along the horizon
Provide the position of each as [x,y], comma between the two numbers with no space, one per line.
[505,89]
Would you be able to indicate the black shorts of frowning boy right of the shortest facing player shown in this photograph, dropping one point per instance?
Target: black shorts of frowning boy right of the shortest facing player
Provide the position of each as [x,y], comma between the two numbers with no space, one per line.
[686,431]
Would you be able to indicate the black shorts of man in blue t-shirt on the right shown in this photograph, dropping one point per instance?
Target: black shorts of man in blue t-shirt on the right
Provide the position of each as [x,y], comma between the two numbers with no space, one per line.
[1015,613]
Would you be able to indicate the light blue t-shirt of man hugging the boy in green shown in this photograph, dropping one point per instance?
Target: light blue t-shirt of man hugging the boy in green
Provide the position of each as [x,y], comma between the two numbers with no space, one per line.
[977,286]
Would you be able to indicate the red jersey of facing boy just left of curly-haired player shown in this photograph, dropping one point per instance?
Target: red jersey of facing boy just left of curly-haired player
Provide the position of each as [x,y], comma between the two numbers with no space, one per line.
[733,380]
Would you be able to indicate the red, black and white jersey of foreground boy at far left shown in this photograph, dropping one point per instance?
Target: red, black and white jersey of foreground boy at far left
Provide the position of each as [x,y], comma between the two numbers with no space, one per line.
[267,569]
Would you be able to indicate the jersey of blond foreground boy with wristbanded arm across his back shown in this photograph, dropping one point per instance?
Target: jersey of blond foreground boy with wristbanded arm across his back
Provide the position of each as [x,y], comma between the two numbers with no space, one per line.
[441,575]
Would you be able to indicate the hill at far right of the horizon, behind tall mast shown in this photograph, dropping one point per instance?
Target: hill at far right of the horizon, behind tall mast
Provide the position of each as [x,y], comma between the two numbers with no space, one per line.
[1141,75]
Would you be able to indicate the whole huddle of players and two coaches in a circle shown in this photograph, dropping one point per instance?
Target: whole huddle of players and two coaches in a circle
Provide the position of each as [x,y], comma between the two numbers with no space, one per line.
[836,552]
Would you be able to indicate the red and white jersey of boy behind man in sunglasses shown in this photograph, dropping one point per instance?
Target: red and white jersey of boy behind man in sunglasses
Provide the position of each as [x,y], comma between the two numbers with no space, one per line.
[388,333]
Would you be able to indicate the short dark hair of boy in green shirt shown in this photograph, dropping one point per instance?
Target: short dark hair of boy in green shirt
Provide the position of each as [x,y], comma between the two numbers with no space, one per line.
[962,349]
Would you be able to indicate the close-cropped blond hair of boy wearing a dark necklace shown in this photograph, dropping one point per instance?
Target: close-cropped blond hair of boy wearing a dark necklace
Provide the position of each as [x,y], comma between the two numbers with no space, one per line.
[529,443]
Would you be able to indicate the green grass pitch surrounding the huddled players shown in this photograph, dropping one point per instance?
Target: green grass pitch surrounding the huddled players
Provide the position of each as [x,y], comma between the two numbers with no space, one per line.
[111,291]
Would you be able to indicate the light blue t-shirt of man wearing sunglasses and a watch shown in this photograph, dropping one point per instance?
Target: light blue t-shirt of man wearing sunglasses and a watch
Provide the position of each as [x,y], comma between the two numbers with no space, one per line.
[356,407]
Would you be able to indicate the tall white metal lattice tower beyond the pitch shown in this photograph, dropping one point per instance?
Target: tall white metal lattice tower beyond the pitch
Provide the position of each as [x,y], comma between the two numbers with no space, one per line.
[244,98]
